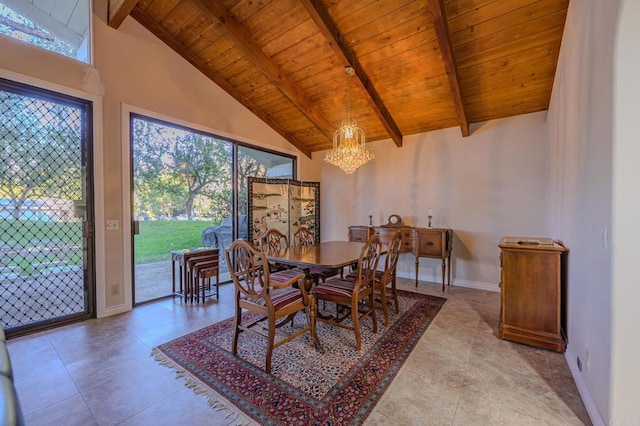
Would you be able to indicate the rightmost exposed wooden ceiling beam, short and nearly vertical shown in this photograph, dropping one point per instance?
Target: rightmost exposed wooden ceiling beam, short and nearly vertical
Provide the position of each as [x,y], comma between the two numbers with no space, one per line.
[436,7]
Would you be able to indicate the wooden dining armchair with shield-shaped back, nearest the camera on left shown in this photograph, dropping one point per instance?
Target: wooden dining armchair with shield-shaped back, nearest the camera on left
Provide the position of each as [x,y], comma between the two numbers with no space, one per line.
[270,300]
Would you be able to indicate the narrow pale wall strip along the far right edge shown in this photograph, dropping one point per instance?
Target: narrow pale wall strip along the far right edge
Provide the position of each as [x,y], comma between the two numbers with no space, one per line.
[625,376]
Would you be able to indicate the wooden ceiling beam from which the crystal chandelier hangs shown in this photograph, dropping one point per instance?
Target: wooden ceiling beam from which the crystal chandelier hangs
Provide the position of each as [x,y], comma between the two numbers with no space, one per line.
[322,19]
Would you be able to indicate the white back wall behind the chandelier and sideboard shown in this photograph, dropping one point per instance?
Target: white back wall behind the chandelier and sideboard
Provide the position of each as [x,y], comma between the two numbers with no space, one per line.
[484,187]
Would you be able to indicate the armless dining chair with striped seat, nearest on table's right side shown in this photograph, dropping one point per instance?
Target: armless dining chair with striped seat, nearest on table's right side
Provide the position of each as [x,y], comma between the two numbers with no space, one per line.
[354,295]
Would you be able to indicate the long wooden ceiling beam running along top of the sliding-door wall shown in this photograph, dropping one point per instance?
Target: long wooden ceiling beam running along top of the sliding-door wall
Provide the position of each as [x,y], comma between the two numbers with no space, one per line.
[201,65]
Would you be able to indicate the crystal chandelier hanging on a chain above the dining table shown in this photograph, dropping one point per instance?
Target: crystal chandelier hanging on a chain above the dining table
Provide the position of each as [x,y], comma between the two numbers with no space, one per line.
[349,151]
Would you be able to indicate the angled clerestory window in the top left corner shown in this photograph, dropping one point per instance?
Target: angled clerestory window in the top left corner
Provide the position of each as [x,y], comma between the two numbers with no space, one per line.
[59,26]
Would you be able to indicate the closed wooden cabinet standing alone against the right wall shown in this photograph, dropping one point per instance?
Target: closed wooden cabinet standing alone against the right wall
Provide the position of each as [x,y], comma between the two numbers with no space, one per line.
[531,292]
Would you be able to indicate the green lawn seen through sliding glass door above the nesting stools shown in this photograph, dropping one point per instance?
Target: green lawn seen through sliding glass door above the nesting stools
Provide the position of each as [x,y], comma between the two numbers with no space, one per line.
[158,238]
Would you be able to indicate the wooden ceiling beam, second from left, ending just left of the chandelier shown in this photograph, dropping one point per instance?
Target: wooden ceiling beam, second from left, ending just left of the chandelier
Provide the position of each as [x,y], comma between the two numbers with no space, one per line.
[244,40]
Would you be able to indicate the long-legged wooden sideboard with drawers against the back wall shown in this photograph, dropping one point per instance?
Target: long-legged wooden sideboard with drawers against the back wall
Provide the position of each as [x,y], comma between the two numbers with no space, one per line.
[422,242]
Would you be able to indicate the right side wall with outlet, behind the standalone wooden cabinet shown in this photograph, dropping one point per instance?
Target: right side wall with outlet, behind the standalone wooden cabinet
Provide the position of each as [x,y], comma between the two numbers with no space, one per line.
[580,192]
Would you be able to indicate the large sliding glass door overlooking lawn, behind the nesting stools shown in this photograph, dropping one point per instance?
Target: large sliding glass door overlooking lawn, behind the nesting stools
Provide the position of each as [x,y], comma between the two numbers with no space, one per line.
[183,196]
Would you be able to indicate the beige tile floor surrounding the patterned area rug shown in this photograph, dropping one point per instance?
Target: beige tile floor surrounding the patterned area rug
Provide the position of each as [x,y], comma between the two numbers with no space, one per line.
[100,372]
